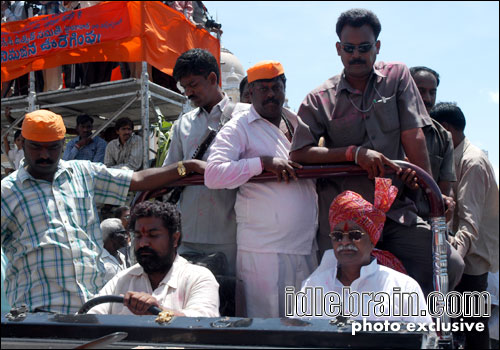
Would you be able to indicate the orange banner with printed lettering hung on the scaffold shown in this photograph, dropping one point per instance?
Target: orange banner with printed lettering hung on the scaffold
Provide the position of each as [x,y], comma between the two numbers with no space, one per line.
[116,31]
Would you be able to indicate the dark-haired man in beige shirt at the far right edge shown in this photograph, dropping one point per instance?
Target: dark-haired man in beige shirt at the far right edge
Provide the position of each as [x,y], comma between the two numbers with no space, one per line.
[475,220]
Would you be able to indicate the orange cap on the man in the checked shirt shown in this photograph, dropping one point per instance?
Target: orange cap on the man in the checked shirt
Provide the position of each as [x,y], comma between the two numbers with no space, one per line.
[43,126]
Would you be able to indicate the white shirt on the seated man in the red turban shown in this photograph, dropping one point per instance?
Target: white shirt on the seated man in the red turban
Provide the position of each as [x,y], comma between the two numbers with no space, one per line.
[373,278]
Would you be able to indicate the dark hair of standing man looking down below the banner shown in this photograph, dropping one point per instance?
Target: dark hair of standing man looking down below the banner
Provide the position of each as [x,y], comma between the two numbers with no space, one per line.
[196,62]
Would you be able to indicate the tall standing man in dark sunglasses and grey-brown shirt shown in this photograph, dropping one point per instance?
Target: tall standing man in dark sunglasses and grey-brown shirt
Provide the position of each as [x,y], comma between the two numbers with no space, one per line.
[369,114]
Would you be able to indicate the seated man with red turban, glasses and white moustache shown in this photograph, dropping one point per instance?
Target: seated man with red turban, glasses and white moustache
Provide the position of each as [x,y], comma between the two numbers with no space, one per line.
[356,226]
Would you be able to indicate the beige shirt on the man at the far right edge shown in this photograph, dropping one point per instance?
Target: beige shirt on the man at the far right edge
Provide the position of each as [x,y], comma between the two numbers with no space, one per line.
[475,218]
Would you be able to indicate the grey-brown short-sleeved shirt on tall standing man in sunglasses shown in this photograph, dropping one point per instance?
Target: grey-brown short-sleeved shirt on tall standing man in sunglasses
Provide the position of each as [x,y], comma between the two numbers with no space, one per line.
[373,119]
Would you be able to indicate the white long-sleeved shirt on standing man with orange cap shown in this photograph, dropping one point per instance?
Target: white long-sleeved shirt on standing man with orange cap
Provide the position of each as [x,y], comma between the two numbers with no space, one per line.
[271,217]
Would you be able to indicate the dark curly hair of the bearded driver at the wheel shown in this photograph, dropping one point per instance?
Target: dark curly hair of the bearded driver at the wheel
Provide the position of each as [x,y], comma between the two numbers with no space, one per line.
[168,213]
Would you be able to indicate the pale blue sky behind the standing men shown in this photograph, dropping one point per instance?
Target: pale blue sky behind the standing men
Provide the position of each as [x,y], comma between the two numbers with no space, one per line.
[457,39]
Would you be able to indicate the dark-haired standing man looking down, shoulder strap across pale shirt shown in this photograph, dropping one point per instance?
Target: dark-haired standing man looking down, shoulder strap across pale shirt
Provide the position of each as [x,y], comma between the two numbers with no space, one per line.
[208,219]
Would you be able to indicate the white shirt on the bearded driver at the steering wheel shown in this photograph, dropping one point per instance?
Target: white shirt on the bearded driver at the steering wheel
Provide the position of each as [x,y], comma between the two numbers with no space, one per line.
[188,288]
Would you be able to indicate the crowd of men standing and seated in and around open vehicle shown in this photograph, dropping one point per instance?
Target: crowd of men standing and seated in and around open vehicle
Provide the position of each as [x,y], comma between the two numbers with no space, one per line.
[368,233]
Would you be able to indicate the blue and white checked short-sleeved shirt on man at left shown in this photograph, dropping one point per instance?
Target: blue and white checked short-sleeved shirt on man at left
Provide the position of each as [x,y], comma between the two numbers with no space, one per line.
[51,234]
